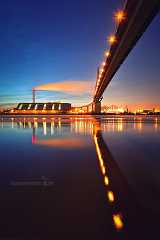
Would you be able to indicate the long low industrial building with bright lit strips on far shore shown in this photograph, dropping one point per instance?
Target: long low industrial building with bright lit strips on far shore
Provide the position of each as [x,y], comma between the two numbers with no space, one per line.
[51,107]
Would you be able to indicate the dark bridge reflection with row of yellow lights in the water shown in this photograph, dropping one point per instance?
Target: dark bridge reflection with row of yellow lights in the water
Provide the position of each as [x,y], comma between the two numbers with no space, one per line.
[128,216]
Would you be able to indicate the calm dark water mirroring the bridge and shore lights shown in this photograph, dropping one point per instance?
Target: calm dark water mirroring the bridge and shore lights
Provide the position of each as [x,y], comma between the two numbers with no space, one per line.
[68,177]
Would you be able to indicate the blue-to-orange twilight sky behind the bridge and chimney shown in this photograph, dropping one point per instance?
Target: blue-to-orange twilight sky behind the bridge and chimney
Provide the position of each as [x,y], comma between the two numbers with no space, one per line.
[50,41]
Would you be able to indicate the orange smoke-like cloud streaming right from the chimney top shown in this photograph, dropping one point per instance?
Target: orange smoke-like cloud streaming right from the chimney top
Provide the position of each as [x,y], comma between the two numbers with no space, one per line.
[69,87]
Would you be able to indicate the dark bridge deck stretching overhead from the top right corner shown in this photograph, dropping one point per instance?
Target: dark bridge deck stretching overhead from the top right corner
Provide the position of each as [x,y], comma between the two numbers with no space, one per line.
[139,14]
